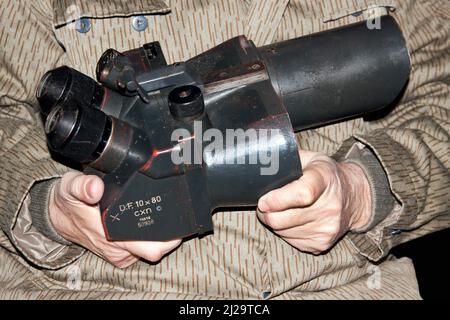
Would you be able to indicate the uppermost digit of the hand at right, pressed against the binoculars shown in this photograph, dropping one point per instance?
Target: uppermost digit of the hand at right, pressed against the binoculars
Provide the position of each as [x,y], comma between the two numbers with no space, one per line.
[300,193]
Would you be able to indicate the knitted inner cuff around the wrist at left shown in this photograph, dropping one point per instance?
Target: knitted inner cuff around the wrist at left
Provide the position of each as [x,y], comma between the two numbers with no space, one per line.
[40,197]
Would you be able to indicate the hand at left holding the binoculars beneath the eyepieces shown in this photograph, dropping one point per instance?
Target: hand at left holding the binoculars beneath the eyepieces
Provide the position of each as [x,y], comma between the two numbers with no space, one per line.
[75,215]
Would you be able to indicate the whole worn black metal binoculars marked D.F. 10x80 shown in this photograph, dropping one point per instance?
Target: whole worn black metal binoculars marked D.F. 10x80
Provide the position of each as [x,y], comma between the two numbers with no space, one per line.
[123,129]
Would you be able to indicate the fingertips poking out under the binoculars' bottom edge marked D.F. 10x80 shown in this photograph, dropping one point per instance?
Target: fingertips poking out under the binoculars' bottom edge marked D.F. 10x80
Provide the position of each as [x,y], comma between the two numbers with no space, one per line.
[151,251]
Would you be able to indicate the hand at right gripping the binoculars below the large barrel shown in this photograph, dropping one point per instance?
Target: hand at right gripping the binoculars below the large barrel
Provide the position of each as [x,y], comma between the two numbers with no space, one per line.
[313,212]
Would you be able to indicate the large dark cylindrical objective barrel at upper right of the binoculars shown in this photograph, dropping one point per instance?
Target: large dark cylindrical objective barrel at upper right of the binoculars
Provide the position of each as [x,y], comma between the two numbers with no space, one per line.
[340,73]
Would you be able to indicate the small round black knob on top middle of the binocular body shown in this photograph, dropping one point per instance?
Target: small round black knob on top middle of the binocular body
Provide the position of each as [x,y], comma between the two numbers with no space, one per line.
[186,102]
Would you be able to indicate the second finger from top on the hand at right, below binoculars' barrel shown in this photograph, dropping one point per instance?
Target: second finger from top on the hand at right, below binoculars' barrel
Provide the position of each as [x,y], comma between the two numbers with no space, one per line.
[289,218]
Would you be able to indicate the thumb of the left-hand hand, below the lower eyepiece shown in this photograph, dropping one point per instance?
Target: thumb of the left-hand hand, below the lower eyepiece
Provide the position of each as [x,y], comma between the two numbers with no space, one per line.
[85,188]
